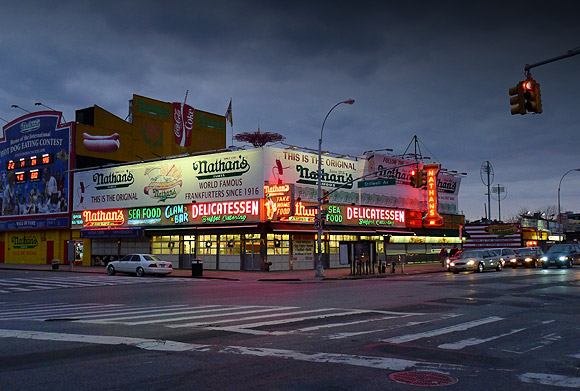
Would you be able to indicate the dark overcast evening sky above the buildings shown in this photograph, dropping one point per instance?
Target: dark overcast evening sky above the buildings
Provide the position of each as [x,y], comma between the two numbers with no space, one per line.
[439,70]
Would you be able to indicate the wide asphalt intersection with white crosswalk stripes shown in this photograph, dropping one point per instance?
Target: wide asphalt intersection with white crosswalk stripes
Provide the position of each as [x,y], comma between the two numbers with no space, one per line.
[515,329]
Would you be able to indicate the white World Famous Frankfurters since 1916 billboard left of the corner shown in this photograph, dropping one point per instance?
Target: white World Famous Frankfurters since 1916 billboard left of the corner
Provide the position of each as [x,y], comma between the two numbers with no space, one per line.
[199,179]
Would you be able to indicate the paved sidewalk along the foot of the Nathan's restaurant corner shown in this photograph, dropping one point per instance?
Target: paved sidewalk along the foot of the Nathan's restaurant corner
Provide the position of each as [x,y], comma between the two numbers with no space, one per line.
[299,275]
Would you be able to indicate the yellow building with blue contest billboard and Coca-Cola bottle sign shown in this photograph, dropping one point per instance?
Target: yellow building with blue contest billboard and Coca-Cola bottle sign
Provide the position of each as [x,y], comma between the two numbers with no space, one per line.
[39,153]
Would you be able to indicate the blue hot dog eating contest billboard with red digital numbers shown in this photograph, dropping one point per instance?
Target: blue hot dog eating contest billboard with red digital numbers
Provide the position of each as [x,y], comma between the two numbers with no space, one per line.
[34,170]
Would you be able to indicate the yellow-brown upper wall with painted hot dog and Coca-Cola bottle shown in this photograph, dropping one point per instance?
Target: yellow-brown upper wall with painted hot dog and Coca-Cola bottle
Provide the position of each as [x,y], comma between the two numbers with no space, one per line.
[152,129]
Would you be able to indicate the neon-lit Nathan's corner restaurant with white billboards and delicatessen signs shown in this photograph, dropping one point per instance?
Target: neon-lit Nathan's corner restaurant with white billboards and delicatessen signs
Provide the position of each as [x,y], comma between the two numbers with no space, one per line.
[254,210]
